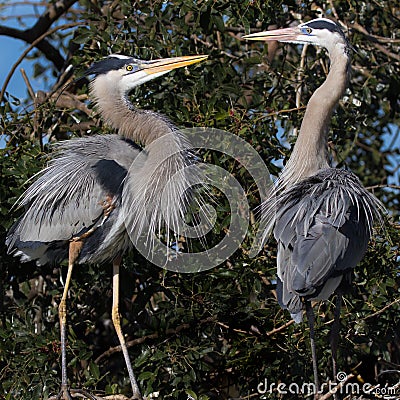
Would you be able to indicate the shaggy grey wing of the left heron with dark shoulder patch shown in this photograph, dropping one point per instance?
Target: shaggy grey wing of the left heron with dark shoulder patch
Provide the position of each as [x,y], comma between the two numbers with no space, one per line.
[69,195]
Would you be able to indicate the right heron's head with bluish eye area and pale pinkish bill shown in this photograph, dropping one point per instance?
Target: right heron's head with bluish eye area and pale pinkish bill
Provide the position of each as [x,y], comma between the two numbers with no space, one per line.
[320,31]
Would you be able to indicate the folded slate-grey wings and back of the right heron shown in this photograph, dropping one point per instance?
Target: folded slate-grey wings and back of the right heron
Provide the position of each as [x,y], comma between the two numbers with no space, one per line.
[322,228]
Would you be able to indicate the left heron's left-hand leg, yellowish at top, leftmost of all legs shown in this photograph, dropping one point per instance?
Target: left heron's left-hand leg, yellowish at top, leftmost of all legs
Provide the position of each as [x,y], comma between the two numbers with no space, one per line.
[74,250]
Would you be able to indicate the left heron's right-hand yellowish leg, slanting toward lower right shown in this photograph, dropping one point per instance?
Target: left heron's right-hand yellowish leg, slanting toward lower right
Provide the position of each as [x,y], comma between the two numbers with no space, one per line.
[117,326]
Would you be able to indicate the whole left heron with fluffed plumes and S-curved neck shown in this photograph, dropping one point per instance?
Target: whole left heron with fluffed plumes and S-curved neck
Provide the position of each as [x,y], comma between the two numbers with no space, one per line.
[74,209]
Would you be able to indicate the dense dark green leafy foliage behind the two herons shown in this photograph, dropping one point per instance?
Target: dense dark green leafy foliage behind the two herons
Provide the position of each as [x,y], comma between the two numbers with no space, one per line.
[218,334]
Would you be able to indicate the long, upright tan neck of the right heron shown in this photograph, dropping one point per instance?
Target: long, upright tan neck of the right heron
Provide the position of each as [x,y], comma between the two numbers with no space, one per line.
[310,152]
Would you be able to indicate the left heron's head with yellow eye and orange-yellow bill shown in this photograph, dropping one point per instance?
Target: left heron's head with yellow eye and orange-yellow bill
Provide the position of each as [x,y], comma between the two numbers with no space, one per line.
[124,73]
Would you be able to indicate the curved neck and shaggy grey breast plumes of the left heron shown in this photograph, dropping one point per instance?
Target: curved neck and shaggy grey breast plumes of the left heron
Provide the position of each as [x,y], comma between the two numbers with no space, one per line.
[155,188]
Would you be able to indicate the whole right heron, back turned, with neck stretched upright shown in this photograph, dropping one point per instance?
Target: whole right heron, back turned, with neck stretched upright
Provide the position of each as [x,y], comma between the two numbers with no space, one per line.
[321,217]
